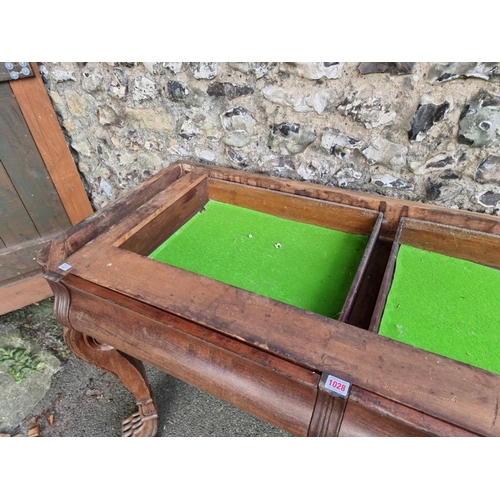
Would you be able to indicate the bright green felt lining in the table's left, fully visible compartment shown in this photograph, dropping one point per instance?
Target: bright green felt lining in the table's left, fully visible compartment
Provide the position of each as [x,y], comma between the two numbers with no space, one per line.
[300,264]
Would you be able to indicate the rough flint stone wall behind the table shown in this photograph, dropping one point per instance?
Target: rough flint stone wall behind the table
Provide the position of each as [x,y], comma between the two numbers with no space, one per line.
[428,132]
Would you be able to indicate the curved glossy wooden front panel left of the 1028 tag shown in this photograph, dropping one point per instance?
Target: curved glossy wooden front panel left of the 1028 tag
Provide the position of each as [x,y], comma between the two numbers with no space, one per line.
[264,392]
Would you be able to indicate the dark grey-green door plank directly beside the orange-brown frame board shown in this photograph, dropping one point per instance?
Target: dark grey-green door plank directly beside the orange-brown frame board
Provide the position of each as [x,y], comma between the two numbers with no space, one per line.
[26,170]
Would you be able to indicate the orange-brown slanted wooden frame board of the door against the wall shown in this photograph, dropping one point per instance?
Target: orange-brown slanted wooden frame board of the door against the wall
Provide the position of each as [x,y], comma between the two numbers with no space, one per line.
[40,117]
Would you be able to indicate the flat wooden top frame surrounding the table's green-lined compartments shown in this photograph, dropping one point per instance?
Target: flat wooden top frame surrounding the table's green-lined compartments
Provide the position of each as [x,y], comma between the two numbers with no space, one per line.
[98,253]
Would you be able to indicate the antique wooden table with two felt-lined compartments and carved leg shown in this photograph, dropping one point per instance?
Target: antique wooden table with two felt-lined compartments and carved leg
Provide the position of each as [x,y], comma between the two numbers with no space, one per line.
[306,373]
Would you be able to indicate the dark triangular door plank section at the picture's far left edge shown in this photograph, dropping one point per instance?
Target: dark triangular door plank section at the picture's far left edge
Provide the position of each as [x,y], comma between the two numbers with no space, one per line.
[16,225]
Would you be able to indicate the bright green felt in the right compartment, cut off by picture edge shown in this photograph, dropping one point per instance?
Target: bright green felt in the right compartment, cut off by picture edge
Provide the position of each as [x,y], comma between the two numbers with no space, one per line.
[445,305]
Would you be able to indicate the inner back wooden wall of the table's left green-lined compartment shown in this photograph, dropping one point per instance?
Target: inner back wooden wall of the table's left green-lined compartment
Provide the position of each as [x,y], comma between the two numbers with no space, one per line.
[324,214]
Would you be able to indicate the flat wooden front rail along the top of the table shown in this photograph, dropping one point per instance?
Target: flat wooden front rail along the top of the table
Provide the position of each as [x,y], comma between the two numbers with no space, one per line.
[397,372]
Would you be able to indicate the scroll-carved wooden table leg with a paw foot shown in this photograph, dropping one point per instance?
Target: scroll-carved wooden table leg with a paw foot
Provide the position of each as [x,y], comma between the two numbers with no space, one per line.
[131,373]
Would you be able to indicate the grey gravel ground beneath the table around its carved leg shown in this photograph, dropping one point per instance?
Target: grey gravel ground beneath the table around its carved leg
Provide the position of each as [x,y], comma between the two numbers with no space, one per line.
[81,400]
